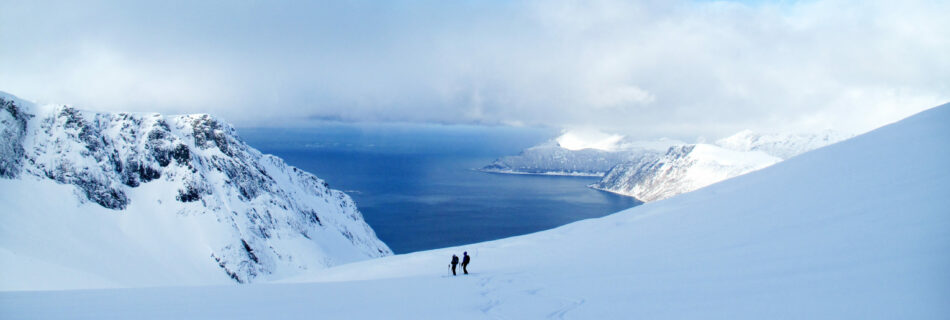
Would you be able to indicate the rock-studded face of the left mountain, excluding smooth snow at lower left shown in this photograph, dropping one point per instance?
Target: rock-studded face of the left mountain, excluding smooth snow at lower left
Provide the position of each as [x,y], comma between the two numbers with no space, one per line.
[194,166]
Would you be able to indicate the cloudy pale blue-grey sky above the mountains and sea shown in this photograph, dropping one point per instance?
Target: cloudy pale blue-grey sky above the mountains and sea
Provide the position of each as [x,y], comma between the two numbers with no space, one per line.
[648,68]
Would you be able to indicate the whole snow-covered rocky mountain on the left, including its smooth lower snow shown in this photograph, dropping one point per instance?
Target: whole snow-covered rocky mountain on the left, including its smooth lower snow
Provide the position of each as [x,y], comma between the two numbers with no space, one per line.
[145,199]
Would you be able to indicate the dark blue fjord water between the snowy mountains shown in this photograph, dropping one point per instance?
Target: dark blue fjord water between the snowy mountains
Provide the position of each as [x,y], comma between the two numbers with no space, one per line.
[418,188]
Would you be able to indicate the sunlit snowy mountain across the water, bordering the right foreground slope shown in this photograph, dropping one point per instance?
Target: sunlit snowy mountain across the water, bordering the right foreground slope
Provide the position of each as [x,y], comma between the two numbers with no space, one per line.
[681,169]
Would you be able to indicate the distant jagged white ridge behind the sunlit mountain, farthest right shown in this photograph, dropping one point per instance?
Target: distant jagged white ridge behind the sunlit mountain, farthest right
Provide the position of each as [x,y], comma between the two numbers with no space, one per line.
[782,145]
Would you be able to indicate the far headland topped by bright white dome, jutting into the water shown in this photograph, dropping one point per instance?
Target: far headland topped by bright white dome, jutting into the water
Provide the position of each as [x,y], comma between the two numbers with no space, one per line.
[579,154]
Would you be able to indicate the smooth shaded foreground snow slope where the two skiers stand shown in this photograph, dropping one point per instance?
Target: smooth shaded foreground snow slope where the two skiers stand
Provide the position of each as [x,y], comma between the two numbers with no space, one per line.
[856,230]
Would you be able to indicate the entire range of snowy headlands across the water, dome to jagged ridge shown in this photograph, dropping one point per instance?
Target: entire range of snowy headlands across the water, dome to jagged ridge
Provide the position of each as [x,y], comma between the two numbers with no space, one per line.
[658,169]
